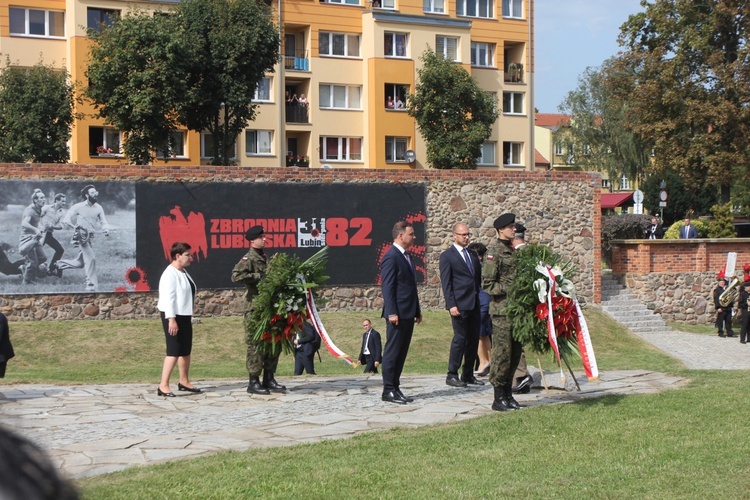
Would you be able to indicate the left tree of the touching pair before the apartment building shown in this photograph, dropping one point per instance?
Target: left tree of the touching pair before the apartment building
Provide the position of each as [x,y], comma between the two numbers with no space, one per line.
[136,73]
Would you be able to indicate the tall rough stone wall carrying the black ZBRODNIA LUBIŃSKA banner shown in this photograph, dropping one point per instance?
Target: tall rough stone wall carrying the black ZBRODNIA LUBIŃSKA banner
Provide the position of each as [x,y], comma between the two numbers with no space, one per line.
[560,209]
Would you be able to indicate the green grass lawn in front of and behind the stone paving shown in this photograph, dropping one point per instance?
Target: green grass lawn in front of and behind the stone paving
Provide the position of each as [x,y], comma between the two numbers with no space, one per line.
[686,443]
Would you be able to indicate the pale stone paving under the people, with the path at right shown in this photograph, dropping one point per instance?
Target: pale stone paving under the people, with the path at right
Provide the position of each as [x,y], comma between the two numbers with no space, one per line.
[94,429]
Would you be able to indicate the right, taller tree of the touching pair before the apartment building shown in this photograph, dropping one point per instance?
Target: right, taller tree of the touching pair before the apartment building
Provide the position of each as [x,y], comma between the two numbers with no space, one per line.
[231,45]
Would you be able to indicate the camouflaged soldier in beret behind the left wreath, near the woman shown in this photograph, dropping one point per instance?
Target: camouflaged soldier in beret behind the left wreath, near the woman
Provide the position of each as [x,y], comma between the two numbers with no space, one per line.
[250,270]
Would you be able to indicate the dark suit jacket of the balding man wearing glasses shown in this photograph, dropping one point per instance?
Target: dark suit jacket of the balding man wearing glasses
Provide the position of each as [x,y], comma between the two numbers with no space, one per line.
[460,285]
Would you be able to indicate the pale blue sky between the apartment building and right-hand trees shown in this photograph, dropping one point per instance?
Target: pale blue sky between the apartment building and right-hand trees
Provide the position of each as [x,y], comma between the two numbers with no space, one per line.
[571,36]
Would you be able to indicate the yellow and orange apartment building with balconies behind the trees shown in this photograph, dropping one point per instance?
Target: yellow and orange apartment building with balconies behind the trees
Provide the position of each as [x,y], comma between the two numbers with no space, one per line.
[337,97]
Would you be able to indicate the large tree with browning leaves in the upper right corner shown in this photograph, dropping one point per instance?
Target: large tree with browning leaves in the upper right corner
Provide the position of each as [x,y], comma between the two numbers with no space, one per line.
[688,85]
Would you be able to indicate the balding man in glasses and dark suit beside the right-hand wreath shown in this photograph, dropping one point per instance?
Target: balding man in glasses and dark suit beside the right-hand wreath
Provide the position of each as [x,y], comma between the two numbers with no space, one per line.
[460,277]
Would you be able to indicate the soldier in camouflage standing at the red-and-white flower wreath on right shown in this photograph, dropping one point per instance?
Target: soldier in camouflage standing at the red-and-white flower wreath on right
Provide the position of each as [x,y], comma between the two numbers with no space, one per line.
[498,273]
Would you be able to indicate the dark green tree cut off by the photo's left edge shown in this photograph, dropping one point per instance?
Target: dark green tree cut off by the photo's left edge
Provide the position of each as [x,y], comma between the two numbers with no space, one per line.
[36,114]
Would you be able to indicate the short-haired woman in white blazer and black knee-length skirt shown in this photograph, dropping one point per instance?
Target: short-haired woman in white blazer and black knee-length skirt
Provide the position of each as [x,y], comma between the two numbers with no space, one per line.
[176,297]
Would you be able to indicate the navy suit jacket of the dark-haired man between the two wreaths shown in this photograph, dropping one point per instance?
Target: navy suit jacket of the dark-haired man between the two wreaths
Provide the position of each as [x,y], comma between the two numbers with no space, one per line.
[399,283]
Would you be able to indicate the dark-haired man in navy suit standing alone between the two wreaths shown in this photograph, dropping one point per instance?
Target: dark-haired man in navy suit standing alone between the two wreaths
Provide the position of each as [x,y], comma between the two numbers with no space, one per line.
[400,309]
